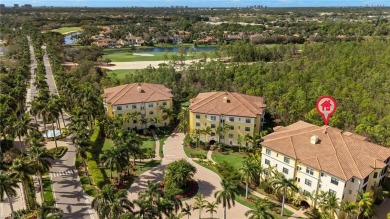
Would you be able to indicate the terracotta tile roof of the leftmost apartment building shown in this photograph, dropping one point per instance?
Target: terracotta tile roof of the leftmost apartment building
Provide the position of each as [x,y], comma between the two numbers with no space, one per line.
[136,93]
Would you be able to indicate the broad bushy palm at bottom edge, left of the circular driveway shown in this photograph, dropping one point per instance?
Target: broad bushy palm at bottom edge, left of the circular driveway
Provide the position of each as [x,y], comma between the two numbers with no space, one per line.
[111,203]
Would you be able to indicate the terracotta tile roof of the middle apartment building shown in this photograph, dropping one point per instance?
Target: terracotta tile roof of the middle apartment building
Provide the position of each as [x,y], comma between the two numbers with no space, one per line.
[227,103]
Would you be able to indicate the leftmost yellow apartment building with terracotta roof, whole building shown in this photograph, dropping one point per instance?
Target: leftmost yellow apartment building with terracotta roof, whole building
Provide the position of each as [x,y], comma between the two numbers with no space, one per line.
[145,98]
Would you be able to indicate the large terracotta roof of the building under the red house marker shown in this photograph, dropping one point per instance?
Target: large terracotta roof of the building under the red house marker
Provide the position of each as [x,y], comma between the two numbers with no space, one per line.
[341,154]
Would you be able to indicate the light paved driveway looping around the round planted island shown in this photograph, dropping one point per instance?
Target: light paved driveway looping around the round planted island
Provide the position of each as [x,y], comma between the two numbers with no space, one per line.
[209,182]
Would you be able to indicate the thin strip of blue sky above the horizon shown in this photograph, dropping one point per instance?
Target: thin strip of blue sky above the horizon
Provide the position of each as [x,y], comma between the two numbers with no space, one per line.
[197,3]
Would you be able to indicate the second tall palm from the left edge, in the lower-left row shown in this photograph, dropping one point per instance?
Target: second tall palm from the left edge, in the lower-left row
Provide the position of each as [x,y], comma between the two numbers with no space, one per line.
[21,170]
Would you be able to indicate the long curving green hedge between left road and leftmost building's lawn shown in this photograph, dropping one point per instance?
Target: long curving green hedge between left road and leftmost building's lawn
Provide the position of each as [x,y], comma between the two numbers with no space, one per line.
[93,157]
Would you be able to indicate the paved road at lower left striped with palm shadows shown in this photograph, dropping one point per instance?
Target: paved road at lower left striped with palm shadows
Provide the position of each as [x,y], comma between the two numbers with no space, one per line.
[67,188]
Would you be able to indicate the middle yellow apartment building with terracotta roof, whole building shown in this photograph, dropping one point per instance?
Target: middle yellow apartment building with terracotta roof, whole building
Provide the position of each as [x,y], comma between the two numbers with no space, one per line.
[243,113]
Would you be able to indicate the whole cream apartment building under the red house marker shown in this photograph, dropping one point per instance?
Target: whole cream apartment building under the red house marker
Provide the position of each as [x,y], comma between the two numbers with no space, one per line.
[325,159]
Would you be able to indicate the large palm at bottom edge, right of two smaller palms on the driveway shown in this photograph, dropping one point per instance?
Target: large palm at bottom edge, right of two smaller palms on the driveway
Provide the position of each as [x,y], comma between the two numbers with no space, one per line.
[226,196]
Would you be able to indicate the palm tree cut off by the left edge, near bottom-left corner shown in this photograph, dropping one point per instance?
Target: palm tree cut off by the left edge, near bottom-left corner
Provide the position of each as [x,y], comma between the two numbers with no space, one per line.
[8,184]
